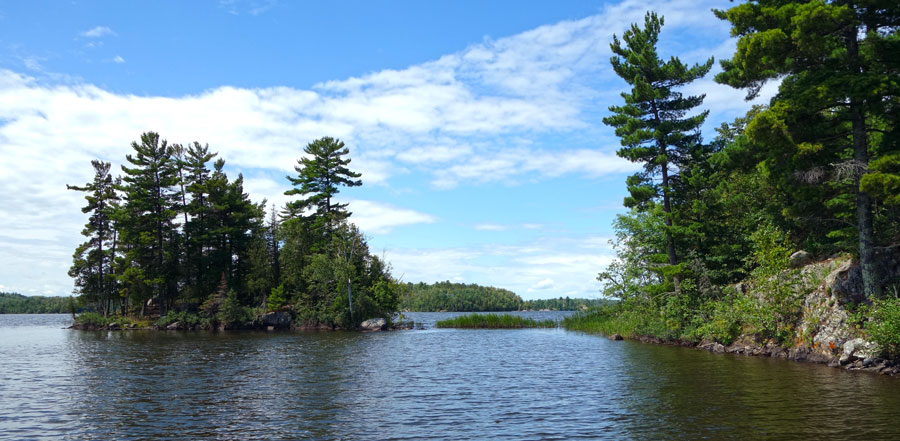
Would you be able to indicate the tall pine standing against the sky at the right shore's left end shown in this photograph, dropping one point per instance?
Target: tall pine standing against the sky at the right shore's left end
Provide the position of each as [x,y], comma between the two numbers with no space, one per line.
[653,123]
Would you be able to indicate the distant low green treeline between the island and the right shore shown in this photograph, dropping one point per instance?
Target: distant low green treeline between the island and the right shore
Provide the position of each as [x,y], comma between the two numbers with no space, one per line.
[461,297]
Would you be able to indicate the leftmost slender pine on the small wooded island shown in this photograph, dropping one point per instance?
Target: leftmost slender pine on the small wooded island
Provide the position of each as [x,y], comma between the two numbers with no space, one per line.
[92,262]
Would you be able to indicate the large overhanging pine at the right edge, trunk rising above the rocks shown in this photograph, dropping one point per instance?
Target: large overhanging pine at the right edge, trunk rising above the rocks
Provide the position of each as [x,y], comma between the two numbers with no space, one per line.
[841,82]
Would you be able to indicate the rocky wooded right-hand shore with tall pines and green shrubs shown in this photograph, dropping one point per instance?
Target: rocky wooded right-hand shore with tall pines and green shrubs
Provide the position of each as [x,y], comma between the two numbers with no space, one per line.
[783,230]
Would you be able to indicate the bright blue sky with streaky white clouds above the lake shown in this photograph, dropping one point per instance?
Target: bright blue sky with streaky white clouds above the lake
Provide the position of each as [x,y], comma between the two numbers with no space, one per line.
[477,126]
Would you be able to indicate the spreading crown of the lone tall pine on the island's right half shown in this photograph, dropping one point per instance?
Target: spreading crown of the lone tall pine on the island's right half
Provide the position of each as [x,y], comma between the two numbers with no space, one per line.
[320,176]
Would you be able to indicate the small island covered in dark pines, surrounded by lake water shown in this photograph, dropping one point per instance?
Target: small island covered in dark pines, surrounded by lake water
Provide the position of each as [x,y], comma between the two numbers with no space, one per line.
[177,244]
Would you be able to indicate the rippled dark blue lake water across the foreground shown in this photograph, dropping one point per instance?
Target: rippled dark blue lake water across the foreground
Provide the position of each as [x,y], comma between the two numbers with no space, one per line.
[424,384]
